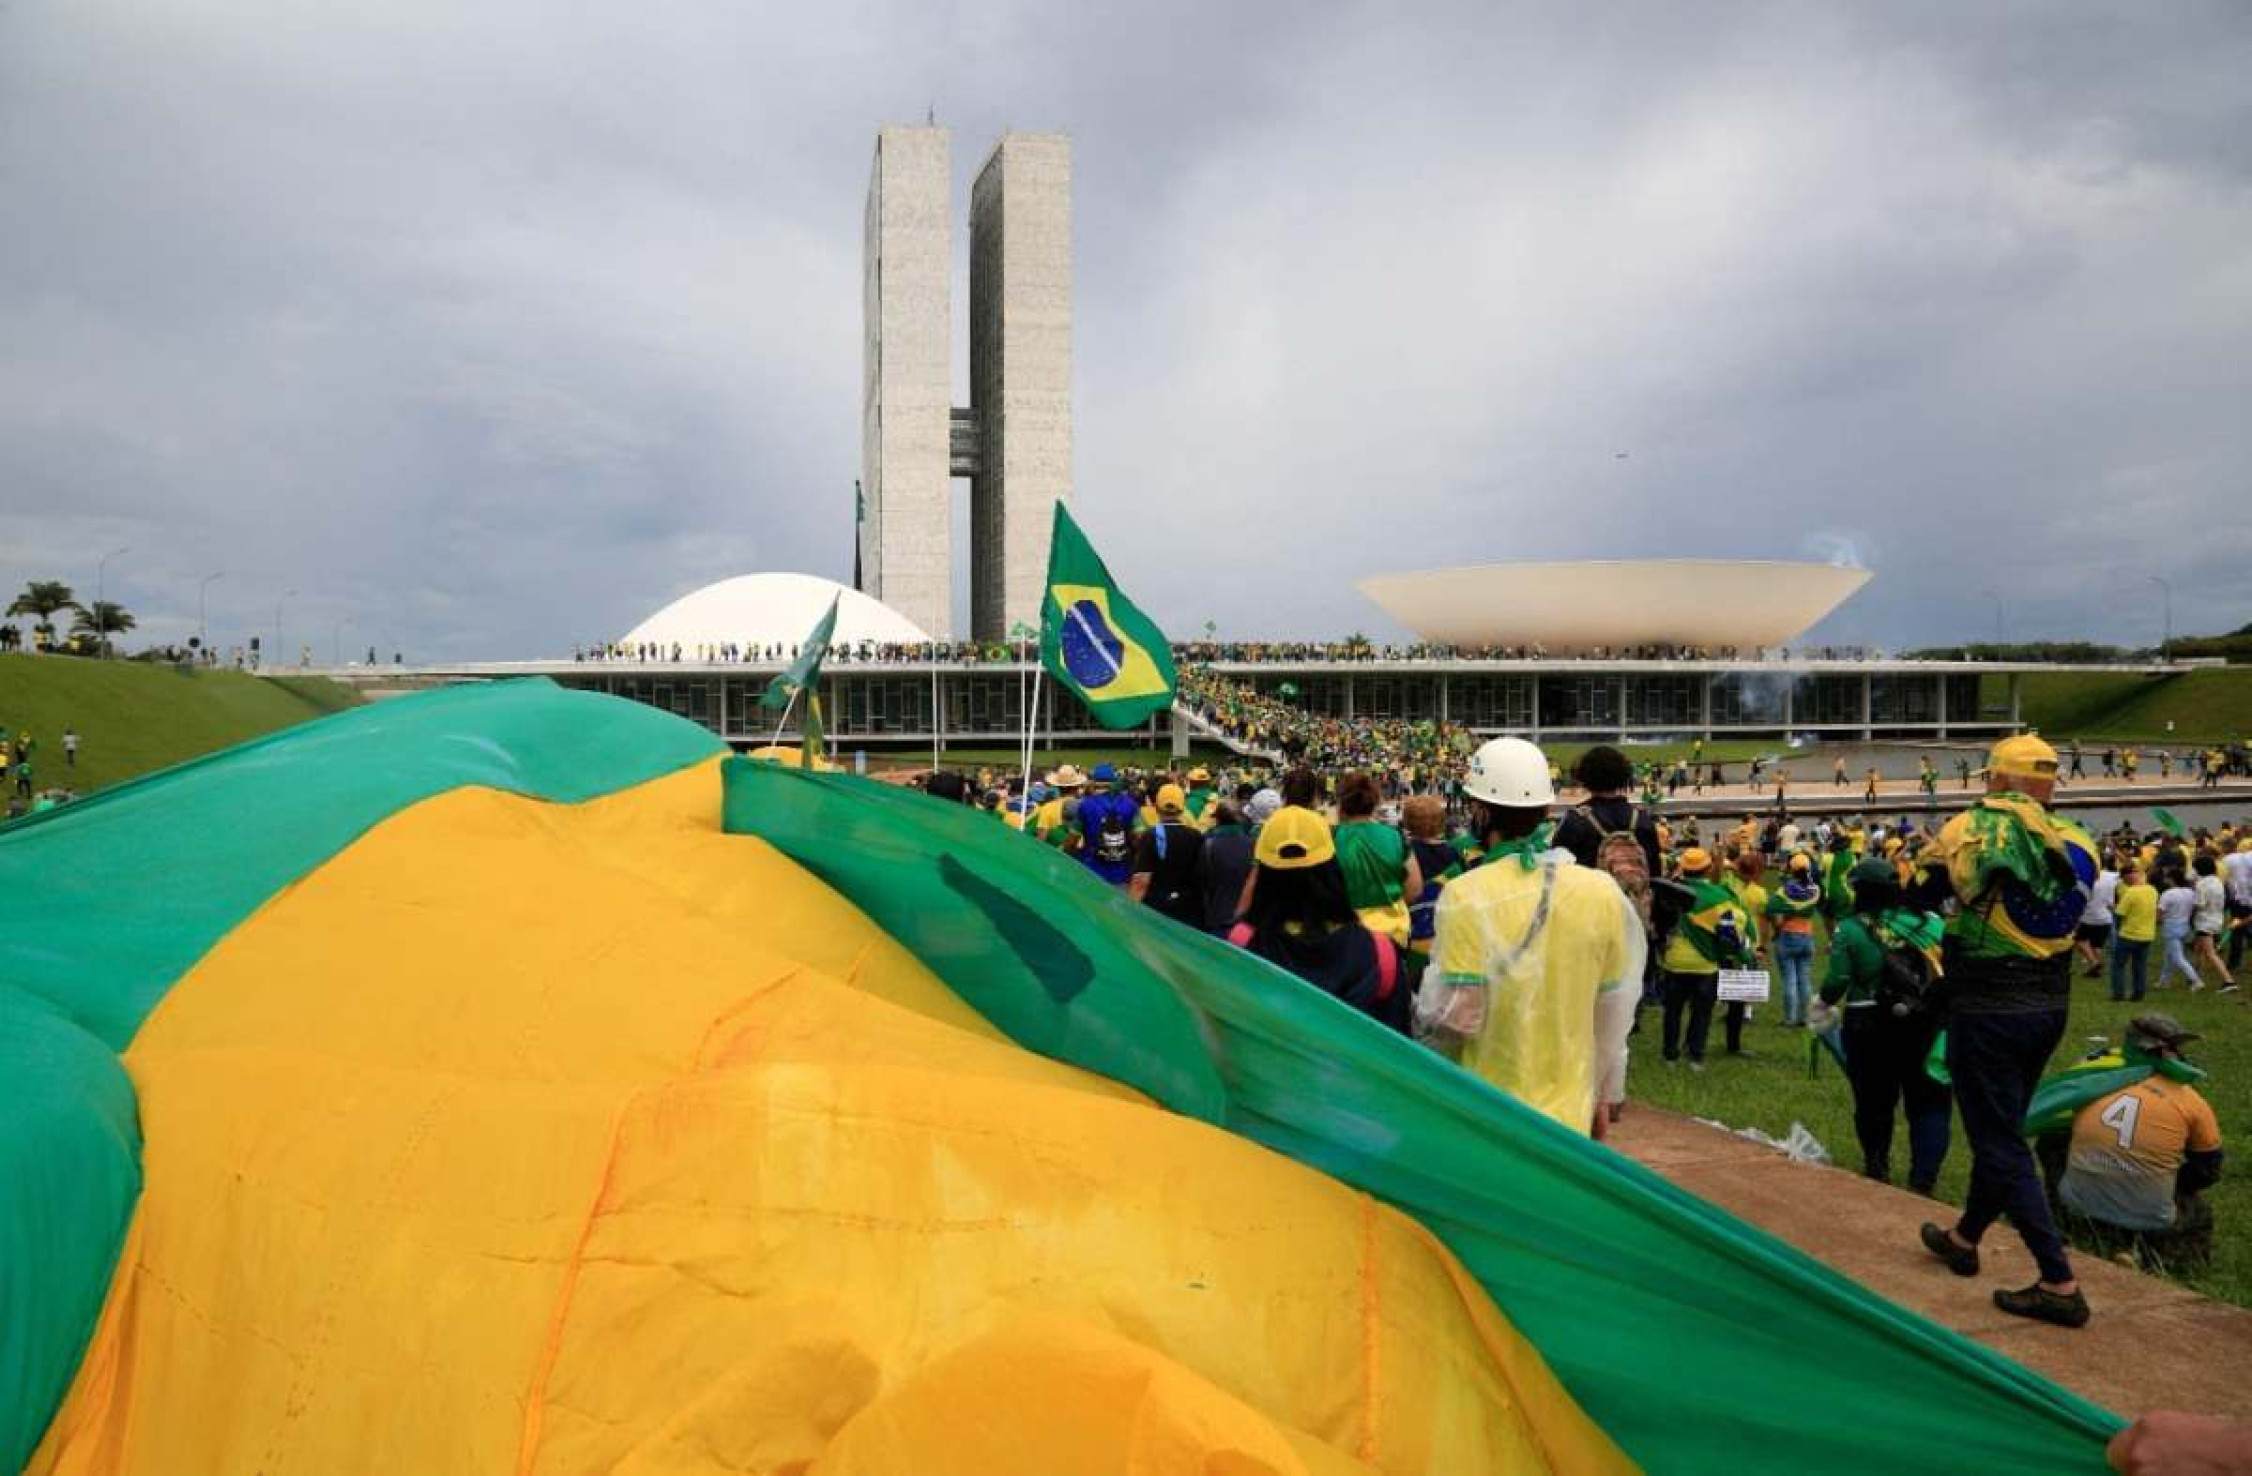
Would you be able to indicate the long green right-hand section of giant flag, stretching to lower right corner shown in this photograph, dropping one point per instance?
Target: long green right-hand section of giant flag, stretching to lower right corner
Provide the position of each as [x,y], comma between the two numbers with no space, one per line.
[1699,1342]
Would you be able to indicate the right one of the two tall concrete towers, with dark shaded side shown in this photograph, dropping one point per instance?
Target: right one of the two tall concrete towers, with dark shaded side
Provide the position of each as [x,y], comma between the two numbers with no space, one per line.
[1021,373]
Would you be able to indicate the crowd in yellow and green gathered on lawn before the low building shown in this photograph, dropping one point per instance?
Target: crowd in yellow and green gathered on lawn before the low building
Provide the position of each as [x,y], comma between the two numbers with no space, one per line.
[1526,939]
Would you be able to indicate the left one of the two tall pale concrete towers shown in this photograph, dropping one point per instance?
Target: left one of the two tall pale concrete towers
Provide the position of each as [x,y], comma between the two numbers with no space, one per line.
[906,377]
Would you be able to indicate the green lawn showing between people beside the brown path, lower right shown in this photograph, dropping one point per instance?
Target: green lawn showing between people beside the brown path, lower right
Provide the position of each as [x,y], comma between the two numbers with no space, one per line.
[1771,1087]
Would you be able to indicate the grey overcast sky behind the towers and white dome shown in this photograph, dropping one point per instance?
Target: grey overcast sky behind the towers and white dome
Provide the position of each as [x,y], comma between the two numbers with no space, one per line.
[490,328]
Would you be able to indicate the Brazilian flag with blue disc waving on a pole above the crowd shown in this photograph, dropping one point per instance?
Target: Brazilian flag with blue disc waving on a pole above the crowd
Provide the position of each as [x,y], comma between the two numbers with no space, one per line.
[1096,641]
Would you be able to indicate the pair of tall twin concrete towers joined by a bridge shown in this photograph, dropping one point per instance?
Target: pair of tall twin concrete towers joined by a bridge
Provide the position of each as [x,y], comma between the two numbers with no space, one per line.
[1015,441]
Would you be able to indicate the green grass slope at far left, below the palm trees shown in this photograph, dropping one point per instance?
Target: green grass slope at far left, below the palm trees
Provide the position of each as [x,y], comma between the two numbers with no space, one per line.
[134,718]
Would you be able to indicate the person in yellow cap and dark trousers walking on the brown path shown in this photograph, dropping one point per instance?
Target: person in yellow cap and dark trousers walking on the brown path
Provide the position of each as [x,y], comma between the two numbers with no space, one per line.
[2019,878]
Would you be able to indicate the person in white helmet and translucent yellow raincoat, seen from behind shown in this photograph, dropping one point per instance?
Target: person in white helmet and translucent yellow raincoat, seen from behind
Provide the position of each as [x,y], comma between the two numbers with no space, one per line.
[1539,961]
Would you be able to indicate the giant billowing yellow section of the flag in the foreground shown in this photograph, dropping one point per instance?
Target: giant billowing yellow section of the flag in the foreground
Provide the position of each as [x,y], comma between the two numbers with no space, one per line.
[587,1139]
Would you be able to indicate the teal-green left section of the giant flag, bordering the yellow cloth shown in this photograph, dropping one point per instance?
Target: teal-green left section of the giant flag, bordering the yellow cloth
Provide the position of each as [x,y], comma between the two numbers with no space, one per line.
[107,903]
